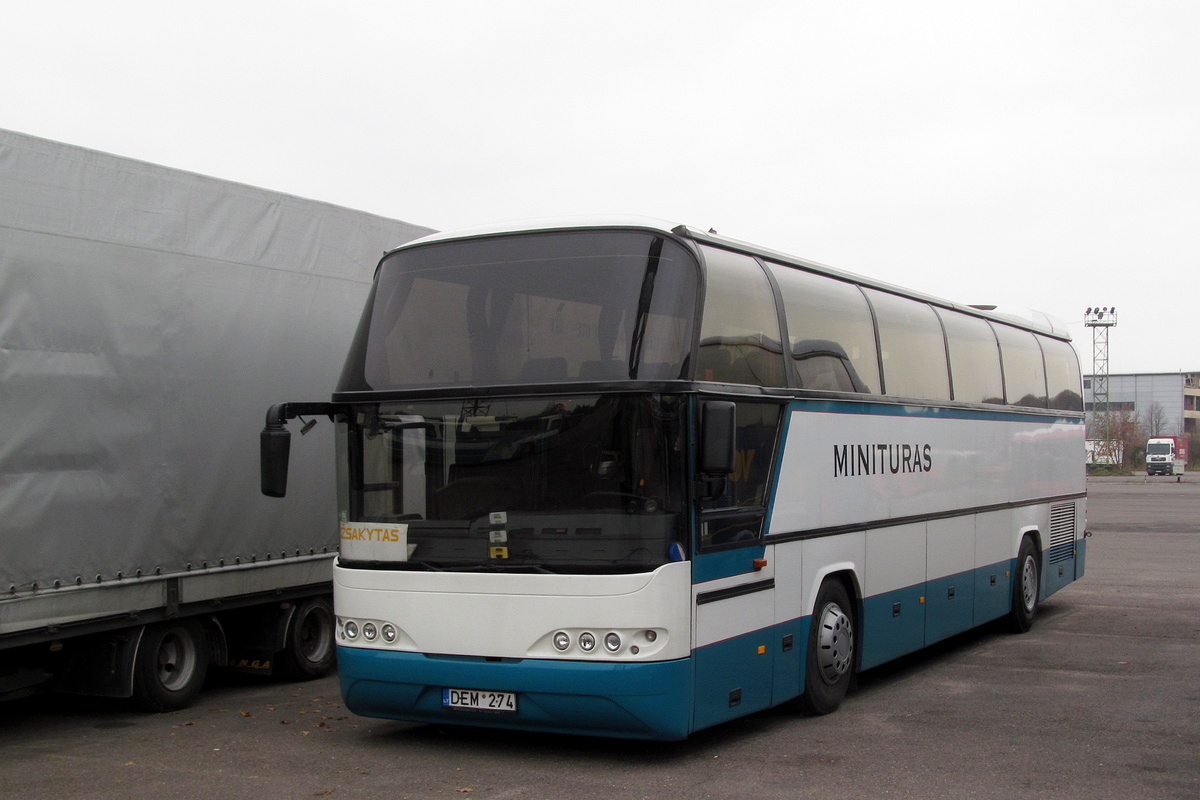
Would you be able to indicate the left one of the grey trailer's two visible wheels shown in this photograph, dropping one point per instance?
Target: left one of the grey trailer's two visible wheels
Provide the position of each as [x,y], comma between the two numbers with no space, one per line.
[171,665]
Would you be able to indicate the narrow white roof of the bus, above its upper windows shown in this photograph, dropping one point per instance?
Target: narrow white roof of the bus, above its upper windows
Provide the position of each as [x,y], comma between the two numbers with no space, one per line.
[1021,317]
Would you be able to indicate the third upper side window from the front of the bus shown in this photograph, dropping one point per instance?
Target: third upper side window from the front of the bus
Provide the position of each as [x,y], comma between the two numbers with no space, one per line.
[913,347]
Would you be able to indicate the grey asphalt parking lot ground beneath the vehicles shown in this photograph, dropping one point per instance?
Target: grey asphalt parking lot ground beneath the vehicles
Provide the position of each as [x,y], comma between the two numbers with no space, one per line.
[1101,700]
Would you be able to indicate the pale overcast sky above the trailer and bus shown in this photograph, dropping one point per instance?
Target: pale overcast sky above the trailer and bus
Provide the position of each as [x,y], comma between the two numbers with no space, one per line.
[1041,154]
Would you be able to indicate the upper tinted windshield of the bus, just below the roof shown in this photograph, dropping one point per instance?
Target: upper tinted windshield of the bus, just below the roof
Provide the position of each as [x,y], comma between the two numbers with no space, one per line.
[530,309]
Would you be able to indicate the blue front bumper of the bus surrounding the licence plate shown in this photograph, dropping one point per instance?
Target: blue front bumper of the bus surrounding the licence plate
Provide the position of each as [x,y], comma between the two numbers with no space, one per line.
[634,701]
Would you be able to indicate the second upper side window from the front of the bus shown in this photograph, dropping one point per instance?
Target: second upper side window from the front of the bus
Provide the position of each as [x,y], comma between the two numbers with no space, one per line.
[831,332]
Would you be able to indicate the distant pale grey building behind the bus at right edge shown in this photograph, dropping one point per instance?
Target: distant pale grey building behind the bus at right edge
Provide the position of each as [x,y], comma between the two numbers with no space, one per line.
[1177,395]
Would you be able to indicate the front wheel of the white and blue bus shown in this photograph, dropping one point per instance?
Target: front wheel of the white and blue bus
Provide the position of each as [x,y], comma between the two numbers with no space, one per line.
[830,663]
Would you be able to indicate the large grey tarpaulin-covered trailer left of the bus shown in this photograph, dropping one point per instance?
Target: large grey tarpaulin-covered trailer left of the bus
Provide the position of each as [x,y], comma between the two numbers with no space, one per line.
[148,316]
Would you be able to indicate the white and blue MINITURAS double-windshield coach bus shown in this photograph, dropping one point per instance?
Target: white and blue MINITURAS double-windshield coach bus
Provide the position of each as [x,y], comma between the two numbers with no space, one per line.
[629,479]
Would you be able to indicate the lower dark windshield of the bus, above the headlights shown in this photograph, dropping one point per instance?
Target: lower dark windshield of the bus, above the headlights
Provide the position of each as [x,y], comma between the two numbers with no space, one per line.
[573,484]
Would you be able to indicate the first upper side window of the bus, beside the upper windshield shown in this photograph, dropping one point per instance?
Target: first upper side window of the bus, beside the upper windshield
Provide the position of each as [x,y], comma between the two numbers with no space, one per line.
[740,340]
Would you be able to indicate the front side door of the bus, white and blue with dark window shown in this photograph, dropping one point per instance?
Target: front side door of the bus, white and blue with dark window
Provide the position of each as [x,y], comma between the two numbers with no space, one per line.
[734,582]
